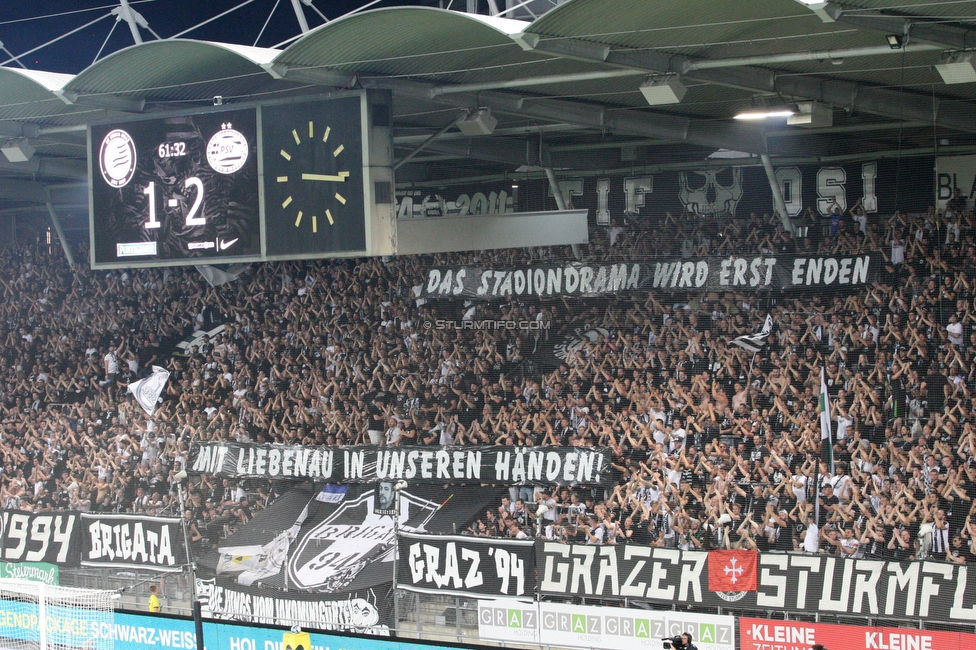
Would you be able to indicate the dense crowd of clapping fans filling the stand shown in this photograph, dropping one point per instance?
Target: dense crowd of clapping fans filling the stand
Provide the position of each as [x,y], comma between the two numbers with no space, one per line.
[712,446]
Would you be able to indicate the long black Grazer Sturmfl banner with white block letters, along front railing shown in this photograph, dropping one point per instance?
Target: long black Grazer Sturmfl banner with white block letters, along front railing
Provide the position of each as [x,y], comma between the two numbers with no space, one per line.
[940,591]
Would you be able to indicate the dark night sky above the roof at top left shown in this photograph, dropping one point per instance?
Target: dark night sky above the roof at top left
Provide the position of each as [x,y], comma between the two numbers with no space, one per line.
[27,24]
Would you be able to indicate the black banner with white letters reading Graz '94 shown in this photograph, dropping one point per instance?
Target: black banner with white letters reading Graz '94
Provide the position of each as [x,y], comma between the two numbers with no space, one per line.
[463,565]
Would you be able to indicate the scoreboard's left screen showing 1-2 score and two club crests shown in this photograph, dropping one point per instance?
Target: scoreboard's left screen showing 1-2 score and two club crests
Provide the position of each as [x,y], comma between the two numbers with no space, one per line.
[176,189]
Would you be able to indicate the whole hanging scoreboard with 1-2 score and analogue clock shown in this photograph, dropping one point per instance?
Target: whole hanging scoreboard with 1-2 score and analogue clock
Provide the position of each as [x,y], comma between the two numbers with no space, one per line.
[274,181]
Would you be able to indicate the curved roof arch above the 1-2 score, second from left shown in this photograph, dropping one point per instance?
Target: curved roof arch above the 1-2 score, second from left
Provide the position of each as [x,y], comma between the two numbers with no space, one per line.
[176,69]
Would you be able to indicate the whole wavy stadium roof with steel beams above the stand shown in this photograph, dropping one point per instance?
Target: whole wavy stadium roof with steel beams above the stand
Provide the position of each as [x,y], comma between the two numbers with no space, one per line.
[566,82]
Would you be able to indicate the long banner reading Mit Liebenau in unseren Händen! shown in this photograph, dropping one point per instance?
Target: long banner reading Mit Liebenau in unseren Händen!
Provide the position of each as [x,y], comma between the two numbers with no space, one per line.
[458,465]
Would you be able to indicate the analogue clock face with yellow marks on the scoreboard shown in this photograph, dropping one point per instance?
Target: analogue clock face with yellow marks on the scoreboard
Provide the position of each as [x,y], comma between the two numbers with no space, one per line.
[313,178]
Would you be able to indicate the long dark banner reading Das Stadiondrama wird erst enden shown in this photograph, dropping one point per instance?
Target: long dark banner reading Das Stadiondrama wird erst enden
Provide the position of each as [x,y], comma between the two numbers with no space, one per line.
[746,273]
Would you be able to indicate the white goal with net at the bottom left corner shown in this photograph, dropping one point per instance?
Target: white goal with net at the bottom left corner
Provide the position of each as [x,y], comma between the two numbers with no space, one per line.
[36,616]
